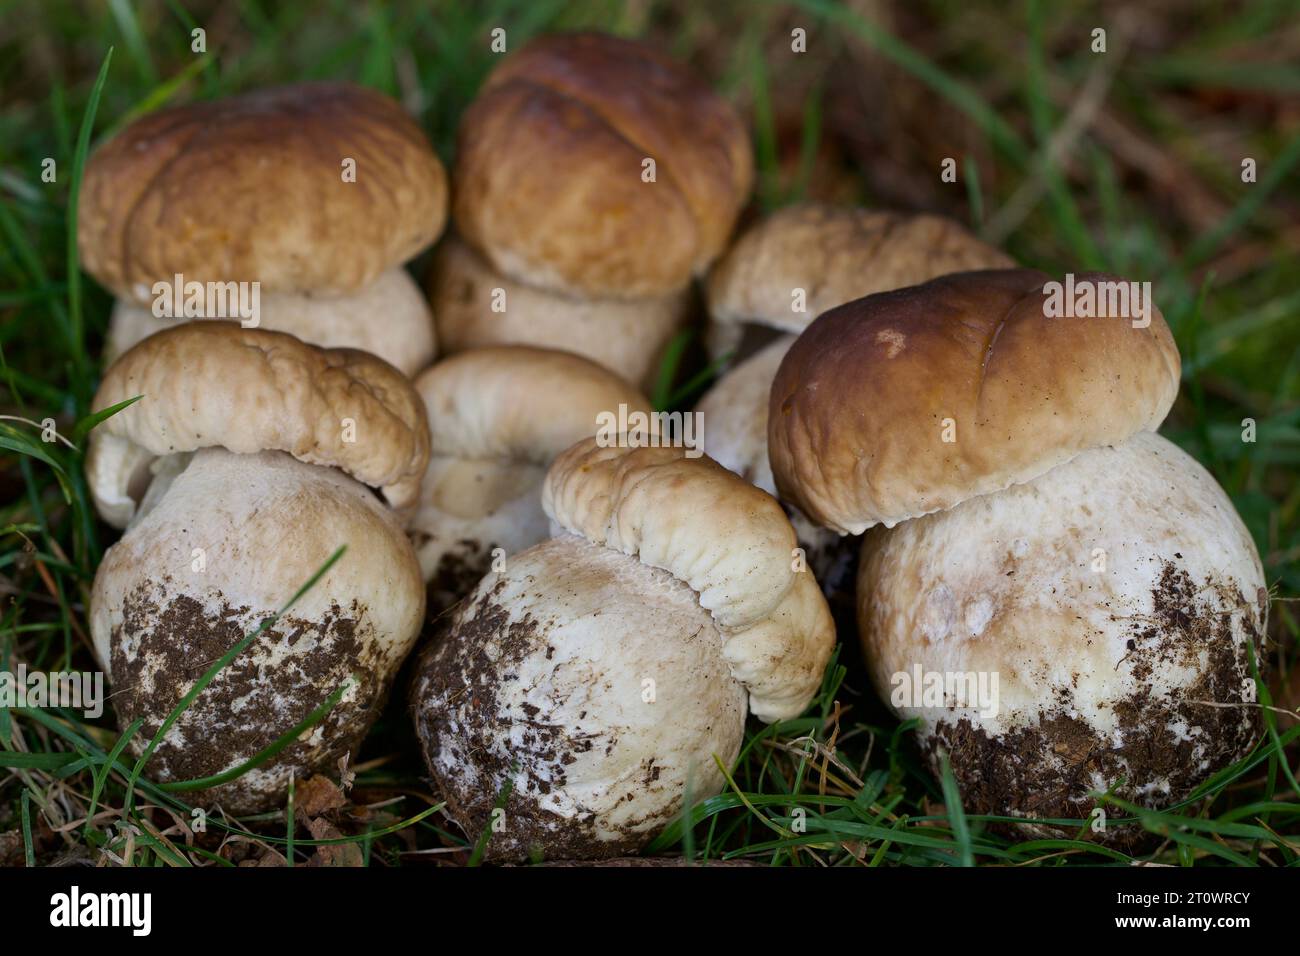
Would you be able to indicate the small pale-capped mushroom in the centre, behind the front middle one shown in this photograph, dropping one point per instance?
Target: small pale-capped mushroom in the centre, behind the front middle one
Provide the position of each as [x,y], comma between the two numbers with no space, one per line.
[499,417]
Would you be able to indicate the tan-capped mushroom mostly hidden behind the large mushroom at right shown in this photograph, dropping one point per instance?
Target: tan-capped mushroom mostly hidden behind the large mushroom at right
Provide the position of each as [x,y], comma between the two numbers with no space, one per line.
[779,276]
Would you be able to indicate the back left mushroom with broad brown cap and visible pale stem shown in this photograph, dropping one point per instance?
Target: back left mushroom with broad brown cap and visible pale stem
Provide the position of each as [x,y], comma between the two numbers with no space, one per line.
[317,193]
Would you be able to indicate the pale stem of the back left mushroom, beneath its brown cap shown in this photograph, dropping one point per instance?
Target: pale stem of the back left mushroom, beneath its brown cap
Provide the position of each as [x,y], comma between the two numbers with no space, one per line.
[388,318]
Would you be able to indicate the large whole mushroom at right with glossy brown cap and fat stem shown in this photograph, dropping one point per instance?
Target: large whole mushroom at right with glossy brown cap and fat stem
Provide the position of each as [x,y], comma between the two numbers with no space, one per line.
[1064,599]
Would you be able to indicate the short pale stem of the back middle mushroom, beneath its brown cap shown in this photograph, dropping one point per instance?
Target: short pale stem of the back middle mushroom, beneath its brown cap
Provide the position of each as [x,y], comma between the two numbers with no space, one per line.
[478,308]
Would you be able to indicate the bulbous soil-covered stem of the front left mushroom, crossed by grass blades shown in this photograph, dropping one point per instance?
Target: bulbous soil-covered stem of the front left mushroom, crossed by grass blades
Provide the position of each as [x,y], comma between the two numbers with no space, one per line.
[222,544]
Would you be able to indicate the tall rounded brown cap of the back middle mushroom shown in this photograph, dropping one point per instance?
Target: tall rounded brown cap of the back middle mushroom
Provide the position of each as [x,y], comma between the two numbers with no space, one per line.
[549,170]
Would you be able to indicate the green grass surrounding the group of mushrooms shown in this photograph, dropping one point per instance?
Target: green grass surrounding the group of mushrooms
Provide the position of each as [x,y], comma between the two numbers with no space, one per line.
[1152,191]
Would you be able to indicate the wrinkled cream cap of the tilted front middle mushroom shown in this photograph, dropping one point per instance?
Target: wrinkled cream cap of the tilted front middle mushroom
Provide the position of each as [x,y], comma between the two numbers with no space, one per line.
[722,537]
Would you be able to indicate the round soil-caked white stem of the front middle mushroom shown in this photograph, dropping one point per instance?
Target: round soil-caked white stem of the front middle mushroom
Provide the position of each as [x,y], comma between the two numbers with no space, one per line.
[582,693]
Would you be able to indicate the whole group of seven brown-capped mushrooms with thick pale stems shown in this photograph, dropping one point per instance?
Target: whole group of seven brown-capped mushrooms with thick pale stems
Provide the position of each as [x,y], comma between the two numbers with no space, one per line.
[605,612]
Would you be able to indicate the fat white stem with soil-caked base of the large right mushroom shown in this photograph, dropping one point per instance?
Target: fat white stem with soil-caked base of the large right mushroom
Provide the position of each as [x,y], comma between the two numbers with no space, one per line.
[1113,599]
